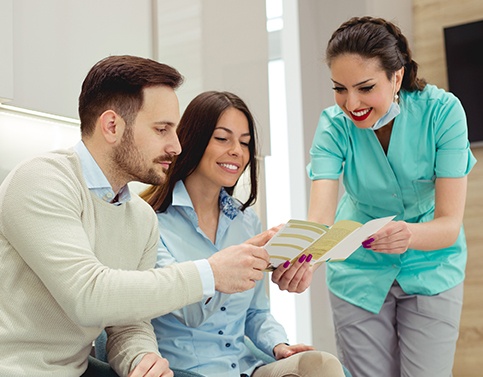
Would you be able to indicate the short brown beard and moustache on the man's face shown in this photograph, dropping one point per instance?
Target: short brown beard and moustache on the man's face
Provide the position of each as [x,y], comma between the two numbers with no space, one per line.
[129,162]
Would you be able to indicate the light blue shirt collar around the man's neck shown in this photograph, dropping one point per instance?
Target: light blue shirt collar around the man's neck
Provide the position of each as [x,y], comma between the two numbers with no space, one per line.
[96,180]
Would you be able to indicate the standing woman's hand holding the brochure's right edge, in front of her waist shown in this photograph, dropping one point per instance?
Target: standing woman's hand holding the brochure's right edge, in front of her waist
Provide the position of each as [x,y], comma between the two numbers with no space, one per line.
[393,238]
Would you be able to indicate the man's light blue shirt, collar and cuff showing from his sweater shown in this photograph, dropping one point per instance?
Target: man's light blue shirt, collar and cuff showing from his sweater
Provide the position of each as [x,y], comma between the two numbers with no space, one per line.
[98,184]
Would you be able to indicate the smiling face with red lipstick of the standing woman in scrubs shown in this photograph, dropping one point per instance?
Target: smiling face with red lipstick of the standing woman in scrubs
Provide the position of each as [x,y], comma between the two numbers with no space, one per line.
[362,89]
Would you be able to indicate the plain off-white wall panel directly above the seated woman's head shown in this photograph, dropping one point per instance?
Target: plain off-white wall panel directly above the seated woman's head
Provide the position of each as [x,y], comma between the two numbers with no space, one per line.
[235,55]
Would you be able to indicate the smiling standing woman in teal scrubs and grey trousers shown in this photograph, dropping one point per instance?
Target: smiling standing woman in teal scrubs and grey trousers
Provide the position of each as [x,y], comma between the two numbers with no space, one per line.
[402,147]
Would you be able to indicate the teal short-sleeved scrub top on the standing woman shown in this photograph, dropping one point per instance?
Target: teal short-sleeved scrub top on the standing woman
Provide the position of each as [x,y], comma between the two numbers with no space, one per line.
[429,140]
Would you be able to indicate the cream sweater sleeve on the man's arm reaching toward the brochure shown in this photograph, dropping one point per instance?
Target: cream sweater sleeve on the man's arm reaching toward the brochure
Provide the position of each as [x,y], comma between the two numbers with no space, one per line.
[41,217]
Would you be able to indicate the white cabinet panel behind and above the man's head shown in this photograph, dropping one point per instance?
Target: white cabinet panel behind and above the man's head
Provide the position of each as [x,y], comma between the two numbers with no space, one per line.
[57,41]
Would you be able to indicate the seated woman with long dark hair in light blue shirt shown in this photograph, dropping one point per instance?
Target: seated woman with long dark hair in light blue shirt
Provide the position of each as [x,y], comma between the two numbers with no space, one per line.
[198,217]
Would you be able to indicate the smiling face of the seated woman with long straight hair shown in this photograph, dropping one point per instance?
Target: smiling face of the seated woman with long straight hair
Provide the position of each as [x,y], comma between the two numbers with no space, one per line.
[227,153]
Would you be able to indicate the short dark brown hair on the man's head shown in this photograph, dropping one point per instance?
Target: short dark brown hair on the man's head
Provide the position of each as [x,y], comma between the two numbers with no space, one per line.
[117,83]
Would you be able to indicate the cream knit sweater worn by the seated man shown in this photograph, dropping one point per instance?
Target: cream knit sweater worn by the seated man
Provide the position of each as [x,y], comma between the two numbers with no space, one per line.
[68,264]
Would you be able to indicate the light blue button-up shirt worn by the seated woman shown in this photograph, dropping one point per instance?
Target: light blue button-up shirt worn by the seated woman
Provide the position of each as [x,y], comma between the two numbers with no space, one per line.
[208,337]
